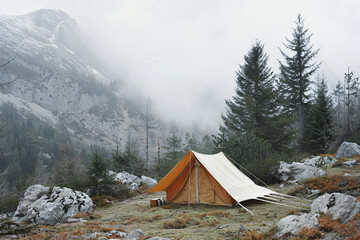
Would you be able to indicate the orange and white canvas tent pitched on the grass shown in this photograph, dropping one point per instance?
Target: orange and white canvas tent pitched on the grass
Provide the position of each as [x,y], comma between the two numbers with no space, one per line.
[211,179]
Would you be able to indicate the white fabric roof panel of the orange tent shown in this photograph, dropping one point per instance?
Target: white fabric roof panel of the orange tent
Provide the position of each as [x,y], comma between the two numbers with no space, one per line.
[238,185]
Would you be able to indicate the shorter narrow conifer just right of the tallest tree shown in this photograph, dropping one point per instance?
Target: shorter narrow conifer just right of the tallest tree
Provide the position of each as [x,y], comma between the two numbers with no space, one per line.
[320,123]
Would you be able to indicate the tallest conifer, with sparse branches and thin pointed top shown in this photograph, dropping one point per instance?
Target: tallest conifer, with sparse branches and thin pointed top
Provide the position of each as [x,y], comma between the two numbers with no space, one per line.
[295,76]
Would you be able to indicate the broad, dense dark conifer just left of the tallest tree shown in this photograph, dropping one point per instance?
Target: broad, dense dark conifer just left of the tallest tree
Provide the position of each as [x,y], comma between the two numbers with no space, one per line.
[254,108]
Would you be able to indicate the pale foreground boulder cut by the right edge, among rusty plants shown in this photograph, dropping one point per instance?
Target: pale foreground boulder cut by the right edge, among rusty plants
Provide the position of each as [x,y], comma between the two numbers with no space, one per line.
[337,204]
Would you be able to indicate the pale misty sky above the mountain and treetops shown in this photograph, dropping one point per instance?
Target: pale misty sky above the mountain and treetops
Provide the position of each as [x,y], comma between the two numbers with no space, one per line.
[184,53]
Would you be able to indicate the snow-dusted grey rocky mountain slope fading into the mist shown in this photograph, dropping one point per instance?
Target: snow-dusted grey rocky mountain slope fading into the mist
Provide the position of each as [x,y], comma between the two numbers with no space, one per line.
[60,79]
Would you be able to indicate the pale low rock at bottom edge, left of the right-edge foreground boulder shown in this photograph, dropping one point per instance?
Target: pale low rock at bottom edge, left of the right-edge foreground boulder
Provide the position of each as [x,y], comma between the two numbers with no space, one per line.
[294,223]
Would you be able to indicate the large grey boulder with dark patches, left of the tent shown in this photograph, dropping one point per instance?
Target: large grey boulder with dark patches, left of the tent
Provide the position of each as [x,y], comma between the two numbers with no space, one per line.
[46,205]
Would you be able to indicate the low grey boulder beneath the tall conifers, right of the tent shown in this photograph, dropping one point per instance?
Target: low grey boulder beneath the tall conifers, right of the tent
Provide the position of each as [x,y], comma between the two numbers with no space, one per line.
[298,171]
